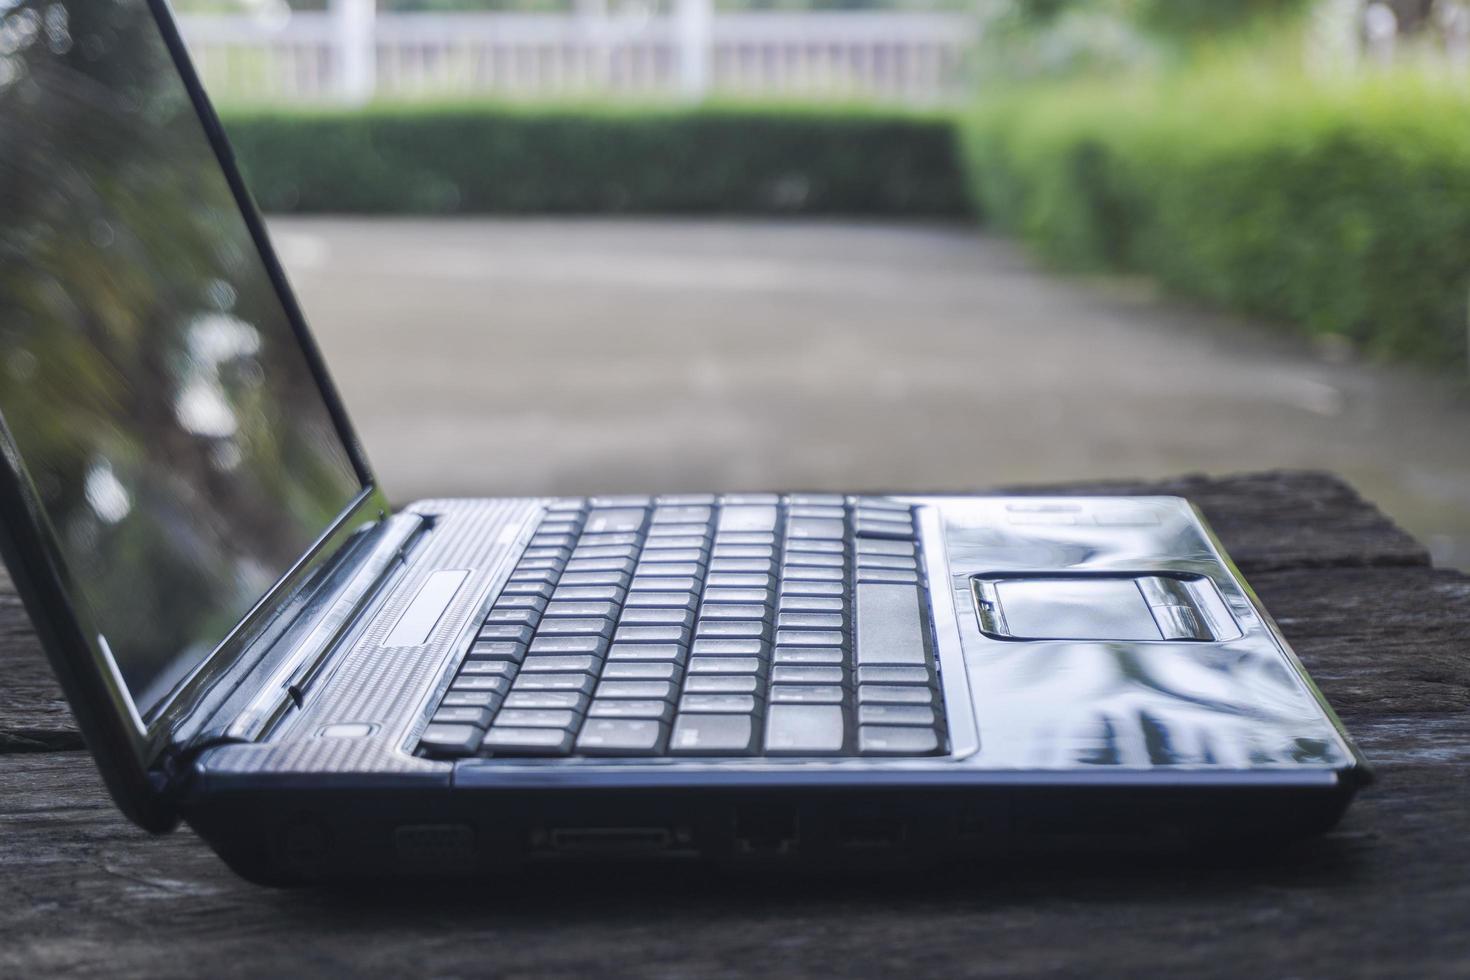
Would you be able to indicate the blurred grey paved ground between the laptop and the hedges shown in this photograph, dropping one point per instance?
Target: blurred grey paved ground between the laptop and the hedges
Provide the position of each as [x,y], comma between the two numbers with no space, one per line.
[495,358]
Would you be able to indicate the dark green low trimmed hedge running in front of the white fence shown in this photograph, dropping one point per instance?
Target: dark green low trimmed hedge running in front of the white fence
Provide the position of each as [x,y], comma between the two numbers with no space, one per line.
[415,159]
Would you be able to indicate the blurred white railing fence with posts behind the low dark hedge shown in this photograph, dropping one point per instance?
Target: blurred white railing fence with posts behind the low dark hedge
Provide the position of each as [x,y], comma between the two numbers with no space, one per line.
[354,54]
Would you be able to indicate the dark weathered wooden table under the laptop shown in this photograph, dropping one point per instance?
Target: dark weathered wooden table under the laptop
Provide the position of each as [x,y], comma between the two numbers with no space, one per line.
[1387,894]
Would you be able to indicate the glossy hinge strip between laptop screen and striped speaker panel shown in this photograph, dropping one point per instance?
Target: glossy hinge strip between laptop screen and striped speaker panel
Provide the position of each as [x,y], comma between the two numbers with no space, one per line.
[286,687]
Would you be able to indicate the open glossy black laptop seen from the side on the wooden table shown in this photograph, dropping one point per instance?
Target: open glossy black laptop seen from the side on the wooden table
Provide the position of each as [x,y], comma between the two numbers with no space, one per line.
[324,687]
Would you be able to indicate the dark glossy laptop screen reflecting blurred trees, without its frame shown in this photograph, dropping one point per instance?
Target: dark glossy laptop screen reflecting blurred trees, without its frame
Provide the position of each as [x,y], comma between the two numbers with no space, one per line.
[151,380]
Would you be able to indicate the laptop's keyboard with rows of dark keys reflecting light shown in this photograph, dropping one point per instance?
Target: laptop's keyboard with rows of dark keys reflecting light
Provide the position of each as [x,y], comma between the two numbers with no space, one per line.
[733,627]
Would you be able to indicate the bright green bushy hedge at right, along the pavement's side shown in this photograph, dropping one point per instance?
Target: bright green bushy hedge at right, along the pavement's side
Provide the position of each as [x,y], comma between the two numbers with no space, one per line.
[1340,208]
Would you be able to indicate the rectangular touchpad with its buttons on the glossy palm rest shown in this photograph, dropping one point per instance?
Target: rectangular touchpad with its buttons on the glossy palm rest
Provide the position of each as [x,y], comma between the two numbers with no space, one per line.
[1099,608]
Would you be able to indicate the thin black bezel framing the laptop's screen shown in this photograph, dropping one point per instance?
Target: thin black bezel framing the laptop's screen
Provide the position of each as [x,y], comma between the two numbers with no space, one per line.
[126,744]
